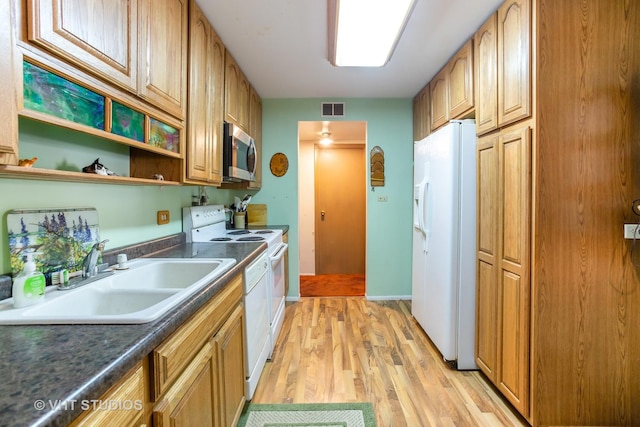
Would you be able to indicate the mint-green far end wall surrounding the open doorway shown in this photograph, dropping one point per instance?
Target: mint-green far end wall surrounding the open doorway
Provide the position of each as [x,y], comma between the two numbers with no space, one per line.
[389,125]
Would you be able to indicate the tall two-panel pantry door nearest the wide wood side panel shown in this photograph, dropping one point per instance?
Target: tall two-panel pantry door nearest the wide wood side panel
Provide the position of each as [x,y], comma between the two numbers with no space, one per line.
[514,284]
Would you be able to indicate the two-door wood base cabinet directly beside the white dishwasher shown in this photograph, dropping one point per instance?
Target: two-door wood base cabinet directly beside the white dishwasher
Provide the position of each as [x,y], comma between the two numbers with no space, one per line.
[198,372]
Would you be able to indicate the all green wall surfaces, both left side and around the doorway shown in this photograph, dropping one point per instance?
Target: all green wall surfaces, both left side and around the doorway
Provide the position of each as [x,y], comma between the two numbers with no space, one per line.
[127,213]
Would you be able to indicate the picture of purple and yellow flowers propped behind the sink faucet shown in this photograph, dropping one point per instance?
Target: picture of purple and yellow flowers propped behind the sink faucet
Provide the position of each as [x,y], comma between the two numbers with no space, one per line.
[60,238]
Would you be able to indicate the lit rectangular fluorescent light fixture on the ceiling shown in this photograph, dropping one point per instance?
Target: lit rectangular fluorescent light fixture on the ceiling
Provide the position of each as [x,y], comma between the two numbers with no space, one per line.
[364,33]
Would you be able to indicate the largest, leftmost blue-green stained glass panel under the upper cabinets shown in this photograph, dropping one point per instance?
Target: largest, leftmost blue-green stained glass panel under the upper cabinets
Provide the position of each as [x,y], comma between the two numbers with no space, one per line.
[49,93]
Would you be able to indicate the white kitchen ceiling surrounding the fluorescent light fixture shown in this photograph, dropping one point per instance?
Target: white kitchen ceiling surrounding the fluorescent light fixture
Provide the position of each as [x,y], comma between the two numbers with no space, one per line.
[281,45]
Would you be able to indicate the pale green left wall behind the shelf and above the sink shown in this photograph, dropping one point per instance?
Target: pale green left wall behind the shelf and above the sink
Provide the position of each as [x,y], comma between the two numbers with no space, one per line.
[126,213]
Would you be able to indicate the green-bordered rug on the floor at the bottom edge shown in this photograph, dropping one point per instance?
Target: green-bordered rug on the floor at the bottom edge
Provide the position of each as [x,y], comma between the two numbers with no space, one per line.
[308,415]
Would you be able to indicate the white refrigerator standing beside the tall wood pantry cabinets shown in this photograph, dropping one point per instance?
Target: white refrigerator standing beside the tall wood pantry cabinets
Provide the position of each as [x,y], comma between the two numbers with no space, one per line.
[444,240]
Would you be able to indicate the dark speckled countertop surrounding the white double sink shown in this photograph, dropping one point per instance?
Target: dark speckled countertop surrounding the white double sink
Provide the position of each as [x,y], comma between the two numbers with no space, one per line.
[60,366]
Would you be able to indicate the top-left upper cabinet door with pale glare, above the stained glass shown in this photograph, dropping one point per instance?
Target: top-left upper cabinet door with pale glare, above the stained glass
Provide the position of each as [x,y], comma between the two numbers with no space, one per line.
[100,36]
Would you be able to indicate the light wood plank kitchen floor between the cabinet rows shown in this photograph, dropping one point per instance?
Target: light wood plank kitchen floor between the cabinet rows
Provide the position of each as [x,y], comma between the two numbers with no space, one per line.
[354,350]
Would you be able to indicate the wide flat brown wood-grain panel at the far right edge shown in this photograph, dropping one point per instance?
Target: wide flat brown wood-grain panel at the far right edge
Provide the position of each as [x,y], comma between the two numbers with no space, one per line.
[586,360]
